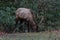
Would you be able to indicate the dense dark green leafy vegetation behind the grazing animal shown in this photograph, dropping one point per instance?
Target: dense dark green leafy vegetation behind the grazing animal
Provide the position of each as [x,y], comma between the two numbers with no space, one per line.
[48,10]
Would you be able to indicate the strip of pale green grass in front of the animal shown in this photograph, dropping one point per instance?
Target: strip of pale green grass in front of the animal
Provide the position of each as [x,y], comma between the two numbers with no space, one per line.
[32,36]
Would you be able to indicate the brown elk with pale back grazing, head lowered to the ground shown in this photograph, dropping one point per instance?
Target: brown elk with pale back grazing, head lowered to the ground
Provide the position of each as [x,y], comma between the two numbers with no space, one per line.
[25,14]
